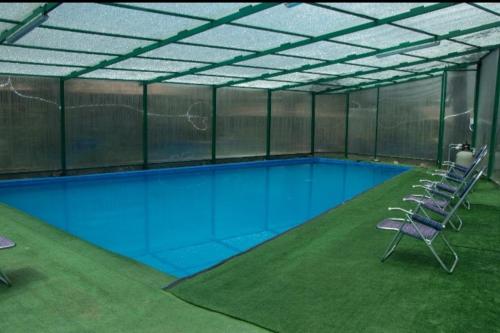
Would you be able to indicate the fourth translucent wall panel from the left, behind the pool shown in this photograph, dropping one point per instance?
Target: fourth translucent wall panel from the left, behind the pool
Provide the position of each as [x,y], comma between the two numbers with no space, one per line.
[241,122]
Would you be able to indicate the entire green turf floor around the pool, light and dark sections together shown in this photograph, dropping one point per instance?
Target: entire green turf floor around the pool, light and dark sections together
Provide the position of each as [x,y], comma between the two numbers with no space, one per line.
[324,276]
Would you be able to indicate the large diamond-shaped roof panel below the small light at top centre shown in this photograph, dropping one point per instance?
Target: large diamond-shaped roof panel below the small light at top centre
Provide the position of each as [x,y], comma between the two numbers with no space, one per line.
[313,20]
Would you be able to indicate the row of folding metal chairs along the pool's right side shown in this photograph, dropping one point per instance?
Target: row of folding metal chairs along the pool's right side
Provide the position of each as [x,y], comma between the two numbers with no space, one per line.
[437,208]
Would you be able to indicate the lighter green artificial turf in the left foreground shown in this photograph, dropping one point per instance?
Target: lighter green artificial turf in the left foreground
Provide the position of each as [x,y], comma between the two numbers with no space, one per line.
[63,284]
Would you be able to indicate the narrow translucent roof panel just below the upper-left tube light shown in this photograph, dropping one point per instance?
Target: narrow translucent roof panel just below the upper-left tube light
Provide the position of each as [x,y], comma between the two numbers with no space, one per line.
[79,41]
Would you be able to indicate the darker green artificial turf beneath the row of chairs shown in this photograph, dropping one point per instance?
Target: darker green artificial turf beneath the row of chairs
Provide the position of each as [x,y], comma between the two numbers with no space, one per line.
[326,276]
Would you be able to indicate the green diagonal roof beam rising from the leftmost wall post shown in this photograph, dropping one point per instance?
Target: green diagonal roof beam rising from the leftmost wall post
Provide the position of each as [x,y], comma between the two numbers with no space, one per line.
[249,10]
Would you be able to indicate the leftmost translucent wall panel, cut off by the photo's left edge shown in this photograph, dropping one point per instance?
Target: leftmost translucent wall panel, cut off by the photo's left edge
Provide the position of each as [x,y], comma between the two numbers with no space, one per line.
[29,124]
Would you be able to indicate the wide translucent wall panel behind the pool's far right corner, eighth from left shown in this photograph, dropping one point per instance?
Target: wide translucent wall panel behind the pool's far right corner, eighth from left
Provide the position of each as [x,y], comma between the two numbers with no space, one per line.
[408,120]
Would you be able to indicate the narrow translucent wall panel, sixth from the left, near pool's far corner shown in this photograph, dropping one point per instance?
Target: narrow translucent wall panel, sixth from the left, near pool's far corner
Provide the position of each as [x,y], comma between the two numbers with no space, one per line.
[330,123]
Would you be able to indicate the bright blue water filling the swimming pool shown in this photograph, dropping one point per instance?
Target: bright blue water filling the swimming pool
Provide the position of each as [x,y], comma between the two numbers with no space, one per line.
[183,220]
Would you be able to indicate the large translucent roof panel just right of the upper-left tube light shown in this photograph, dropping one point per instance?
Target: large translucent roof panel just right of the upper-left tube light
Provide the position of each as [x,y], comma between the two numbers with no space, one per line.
[108,19]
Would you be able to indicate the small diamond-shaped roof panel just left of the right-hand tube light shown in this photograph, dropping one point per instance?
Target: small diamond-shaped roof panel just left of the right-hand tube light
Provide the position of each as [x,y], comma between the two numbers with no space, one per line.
[325,50]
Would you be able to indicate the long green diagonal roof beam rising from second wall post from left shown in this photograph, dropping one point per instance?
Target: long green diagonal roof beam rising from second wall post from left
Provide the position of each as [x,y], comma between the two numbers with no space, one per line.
[287,46]
